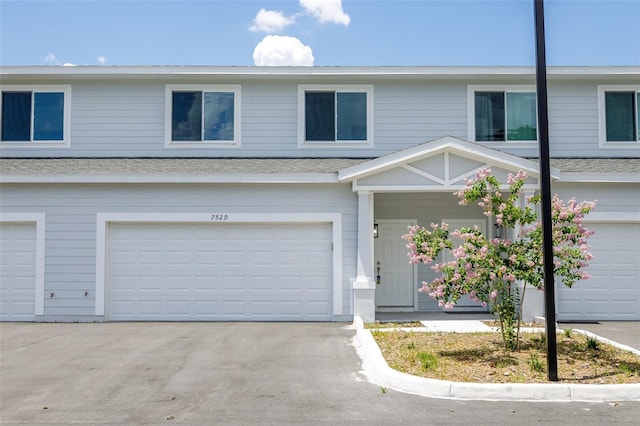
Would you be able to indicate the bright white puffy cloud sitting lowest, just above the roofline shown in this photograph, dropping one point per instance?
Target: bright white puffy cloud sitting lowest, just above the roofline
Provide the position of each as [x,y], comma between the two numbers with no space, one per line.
[276,50]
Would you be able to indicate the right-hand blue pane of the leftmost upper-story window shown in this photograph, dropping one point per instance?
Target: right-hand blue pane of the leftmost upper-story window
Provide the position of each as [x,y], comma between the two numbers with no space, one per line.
[48,116]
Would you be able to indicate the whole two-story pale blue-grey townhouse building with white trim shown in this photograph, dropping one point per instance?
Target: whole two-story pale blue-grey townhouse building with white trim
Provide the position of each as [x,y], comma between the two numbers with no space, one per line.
[250,193]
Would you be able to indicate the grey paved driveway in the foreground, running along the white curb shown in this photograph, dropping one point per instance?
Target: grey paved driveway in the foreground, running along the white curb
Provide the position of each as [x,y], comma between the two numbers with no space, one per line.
[227,373]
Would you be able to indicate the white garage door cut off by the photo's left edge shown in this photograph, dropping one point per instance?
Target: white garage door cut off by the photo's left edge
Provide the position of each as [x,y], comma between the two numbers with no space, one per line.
[17,272]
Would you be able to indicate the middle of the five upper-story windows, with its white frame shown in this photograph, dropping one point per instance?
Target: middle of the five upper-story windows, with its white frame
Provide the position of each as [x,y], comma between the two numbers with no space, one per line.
[335,116]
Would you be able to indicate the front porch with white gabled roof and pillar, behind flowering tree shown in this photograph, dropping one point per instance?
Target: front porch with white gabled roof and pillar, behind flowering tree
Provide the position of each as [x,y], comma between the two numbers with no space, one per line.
[415,187]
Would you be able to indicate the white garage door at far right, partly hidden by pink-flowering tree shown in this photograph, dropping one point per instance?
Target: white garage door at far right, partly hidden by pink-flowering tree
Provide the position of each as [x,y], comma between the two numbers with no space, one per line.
[613,291]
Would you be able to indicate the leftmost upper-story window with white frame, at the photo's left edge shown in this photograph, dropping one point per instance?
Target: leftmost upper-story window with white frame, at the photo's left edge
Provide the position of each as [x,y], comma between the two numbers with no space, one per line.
[33,116]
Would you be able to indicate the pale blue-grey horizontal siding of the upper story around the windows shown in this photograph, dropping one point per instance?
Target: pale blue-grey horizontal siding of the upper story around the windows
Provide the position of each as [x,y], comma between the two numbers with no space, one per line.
[126,117]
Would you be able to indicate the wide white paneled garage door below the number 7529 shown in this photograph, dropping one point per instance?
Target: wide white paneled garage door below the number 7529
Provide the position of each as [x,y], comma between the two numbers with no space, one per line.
[269,272]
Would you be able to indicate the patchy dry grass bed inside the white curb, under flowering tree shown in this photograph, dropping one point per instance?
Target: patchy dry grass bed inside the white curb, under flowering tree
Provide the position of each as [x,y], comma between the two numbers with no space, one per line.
[480,358]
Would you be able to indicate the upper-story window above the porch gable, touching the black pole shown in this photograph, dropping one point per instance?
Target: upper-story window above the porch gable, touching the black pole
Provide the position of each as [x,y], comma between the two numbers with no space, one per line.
[503,114]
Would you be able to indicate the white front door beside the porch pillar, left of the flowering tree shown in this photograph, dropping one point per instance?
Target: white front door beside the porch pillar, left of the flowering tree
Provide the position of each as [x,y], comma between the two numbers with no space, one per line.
[396,286]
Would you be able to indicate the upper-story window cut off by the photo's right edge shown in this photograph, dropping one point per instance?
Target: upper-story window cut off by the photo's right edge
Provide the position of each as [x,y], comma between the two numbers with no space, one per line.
[619,115]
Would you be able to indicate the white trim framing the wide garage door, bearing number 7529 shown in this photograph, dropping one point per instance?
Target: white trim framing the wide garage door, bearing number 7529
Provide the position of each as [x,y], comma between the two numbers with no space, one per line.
[103,219]
